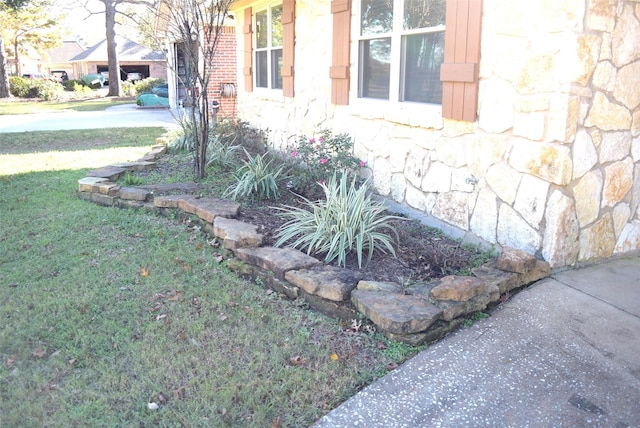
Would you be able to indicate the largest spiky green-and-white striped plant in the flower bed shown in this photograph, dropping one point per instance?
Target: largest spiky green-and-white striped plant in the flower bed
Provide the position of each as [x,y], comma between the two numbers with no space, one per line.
[346,222]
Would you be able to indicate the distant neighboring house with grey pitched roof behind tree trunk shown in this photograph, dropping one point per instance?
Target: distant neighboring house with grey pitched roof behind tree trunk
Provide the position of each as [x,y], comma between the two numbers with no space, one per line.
[133,58]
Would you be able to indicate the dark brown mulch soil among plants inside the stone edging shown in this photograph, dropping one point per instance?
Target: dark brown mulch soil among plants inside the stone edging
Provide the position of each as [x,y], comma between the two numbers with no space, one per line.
[423,253]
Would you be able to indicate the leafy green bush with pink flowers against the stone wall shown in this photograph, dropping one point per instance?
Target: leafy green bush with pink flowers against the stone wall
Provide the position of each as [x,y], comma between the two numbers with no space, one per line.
[318,158]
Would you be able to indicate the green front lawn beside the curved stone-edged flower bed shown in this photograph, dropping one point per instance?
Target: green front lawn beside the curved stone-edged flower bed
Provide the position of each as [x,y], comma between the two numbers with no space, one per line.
[106,310]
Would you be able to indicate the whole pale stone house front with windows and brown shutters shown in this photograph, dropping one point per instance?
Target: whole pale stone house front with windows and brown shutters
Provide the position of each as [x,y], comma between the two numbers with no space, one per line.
[517,122]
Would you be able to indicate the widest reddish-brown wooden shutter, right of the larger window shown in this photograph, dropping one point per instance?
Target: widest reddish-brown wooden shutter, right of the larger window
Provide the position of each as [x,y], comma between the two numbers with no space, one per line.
[459,72]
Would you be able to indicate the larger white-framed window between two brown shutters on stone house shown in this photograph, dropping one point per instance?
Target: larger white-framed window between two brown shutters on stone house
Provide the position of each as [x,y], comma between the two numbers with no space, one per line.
[401,48]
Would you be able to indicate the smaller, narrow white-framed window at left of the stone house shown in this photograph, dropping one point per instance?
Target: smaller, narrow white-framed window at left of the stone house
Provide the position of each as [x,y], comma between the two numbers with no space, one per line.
[268,47]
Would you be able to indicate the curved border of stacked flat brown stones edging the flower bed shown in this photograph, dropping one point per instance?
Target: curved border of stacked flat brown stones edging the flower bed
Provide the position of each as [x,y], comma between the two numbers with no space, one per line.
[418,314]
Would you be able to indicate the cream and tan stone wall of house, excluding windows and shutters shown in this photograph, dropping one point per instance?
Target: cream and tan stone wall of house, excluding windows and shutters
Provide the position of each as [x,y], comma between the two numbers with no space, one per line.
[551,166]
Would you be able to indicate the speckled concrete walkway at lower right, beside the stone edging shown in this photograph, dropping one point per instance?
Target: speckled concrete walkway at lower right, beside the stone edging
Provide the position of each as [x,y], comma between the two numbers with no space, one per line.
[563,352]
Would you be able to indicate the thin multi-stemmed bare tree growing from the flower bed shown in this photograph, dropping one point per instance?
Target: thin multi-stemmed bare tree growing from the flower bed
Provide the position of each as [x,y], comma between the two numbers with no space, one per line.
[196,25]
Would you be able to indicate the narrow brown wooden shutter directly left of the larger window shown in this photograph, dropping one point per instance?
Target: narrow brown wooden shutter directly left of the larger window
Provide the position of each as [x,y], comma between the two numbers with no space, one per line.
[339,71]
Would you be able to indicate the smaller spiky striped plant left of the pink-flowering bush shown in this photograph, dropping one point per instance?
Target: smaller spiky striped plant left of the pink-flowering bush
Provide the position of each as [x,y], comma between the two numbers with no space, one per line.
[259,177]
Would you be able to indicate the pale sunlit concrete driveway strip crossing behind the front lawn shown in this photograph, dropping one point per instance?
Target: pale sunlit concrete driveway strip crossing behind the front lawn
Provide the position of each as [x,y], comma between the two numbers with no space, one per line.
[120,116]
